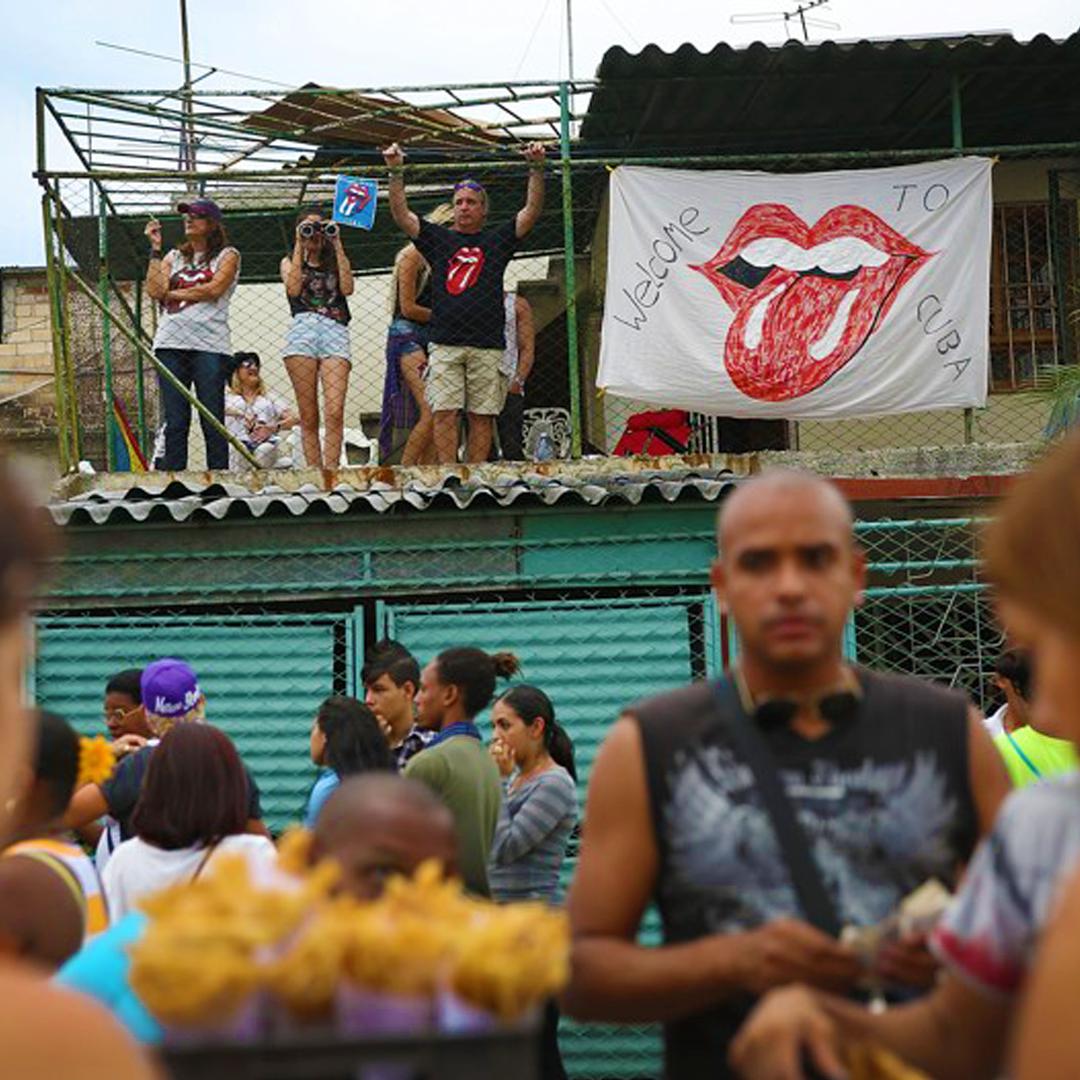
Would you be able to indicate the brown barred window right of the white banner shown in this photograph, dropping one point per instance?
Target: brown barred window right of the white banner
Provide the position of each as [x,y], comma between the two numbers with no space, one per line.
[1025,330]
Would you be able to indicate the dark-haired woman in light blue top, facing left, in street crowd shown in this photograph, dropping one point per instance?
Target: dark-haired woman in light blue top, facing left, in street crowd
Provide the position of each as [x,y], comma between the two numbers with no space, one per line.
[346,739]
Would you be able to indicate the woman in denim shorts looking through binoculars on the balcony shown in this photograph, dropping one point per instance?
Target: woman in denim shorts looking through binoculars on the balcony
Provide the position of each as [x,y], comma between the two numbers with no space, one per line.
[318,279]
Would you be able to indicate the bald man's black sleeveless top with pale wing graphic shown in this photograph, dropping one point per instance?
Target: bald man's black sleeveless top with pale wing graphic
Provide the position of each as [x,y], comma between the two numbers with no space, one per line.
[884,800]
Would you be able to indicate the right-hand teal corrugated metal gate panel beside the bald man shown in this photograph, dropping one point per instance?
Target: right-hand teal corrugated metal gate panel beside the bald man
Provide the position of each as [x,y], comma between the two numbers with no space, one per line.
[592,659]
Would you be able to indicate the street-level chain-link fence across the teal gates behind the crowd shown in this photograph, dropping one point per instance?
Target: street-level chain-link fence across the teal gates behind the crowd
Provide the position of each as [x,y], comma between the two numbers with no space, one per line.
[273,627]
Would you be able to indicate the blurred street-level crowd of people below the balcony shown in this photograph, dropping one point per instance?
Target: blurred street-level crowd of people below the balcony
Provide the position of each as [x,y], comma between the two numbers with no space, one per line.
[789,819]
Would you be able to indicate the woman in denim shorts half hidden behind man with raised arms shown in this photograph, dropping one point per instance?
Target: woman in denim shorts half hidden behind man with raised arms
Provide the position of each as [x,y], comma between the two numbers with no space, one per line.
[404,402]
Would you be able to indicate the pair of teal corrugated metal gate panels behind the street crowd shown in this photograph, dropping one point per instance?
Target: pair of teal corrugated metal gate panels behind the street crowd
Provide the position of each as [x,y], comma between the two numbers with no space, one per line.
[592,656]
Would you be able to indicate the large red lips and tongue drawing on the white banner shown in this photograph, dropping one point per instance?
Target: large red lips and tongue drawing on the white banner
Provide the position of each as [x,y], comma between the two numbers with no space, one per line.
[794,329]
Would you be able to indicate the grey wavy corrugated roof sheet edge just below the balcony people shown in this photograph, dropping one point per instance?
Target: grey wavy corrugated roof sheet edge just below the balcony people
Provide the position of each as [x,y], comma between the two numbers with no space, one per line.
[372,490]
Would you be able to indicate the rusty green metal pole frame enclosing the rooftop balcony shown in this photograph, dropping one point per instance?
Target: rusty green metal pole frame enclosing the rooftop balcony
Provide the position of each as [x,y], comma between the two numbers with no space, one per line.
[129,147]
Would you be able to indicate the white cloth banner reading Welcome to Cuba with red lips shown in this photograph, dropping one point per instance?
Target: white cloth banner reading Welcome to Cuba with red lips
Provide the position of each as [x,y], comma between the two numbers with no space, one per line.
[811,296]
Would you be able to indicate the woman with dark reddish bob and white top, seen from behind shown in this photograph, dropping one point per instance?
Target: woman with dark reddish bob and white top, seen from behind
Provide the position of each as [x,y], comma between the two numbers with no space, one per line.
[194,806]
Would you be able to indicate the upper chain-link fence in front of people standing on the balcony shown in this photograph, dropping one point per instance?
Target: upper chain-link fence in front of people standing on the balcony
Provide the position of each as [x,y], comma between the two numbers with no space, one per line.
[341,350]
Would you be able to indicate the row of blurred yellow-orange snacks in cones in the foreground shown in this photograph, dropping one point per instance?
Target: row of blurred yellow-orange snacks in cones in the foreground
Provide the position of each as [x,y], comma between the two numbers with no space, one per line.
[213,943]
